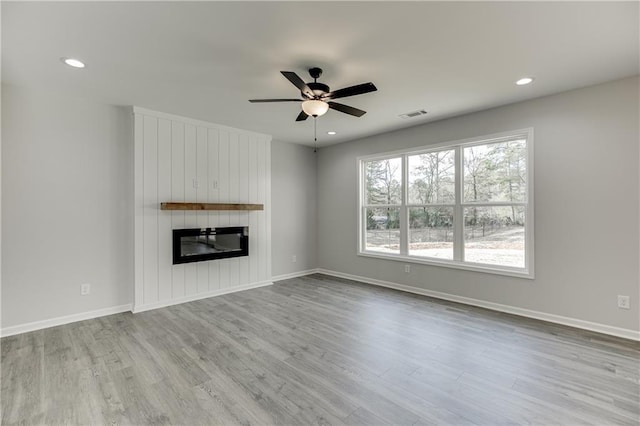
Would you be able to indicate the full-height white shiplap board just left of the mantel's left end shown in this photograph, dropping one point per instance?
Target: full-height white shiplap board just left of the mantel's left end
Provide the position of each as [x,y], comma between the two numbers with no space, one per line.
[150,202]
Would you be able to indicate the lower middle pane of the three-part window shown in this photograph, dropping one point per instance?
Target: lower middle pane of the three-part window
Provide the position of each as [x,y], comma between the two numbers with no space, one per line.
[431,232]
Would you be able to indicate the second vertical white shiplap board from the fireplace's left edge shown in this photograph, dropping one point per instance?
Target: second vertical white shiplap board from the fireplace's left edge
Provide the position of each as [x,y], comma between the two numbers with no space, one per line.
[190,193]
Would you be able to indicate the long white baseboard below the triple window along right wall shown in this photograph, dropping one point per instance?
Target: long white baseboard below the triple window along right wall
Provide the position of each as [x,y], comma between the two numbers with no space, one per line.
[558,319]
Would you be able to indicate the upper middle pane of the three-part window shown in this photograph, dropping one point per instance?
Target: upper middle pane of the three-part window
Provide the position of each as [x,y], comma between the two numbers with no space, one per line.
[432,178]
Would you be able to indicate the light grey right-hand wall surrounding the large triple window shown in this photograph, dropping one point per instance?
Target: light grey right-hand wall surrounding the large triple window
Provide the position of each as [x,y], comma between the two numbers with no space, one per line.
[586,211]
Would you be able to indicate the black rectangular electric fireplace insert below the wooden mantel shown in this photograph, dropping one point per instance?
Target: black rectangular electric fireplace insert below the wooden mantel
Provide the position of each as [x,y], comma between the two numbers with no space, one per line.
[200,244]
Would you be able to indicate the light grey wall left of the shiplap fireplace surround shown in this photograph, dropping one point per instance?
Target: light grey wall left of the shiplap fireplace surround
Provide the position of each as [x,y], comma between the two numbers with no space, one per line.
[67,206]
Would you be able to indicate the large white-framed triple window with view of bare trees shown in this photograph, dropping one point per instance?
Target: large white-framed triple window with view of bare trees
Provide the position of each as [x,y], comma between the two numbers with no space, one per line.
[465,204]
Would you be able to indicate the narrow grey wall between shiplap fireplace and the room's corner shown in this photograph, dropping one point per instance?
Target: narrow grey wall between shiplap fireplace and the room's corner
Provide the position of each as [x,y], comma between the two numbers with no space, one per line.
[293,196]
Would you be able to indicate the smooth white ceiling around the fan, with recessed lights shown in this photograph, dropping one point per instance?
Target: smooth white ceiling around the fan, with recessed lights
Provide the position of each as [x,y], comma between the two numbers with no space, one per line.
[206,59]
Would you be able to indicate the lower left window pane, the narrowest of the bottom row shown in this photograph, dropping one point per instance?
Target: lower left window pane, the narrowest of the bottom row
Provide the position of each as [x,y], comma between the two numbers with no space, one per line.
[383,230]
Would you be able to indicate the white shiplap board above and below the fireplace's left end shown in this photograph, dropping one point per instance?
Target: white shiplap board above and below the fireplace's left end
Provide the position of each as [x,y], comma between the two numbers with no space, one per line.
[177,194]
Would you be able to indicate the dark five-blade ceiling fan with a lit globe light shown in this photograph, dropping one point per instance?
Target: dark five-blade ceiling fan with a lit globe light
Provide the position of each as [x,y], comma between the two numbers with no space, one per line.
[317,97]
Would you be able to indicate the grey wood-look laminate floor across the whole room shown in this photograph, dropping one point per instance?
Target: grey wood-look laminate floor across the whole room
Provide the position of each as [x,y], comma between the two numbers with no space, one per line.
[318,350]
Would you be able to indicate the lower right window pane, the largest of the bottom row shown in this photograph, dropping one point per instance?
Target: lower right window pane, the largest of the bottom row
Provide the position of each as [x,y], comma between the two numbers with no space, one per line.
[494,235]
